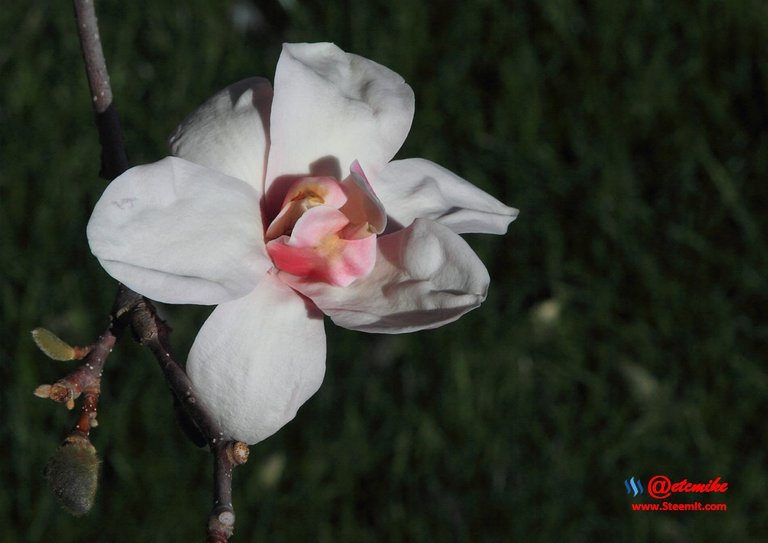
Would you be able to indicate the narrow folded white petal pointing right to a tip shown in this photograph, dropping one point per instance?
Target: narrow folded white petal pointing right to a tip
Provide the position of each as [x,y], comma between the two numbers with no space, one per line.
[417,188]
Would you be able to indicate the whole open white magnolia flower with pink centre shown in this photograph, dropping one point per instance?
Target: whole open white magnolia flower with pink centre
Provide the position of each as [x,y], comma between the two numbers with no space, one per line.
[279,207]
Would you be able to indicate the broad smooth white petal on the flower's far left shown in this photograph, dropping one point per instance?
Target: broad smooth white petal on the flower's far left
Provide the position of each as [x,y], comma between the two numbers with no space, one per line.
[180,233]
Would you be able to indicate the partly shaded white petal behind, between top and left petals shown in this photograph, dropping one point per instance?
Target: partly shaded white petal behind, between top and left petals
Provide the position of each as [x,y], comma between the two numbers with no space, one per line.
[230,132]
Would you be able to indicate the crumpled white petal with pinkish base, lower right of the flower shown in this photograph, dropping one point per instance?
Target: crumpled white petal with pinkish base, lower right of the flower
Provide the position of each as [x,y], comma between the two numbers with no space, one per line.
[425,276]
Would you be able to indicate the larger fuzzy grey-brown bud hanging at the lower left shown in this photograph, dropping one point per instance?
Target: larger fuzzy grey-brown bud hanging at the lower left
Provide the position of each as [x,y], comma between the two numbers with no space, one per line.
[73,473]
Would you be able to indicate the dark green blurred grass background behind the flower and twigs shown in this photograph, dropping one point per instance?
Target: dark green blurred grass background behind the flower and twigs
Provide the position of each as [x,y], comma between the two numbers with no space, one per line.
[624,333]
